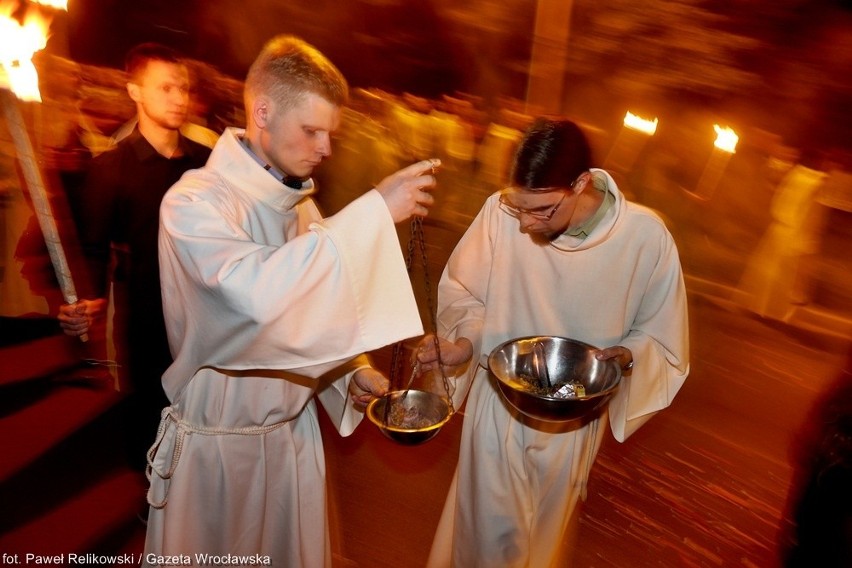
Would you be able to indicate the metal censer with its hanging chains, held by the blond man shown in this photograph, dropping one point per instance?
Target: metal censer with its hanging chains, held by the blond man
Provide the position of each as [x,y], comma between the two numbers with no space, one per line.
[406,415]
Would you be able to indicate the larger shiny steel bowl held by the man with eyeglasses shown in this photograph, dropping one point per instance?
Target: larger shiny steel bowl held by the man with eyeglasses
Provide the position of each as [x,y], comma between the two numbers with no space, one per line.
[580,384]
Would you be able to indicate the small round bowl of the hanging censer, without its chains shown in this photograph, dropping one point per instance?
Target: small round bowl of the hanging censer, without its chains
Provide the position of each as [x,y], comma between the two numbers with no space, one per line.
[430,409]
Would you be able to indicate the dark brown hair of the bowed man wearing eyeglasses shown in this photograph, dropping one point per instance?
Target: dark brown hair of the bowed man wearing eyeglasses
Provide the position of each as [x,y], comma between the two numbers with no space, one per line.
[552,153]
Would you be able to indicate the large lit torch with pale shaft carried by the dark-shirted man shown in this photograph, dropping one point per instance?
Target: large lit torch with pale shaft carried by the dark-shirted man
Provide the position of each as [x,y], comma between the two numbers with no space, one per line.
[19,81]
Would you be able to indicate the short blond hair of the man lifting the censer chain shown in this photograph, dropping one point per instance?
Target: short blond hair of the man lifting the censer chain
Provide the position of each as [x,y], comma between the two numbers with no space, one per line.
[288,68]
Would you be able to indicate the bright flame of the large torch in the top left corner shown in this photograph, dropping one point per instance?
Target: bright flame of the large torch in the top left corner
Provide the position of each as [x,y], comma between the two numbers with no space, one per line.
[19,41]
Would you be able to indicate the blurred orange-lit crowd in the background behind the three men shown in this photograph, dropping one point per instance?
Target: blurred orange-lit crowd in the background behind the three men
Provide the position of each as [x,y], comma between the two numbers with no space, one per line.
[733,231]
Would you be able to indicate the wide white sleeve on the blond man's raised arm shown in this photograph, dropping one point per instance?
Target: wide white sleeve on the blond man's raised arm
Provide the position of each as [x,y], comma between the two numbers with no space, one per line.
[305,305]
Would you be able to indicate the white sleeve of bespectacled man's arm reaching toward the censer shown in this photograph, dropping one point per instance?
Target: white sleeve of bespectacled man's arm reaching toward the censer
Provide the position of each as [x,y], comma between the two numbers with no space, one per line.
[461,296]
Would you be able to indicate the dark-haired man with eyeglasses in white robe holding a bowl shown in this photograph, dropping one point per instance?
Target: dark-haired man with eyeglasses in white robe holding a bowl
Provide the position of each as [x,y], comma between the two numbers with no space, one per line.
[560,252]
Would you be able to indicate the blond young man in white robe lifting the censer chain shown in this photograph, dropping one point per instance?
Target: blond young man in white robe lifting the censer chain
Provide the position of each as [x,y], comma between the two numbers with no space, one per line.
[266,304]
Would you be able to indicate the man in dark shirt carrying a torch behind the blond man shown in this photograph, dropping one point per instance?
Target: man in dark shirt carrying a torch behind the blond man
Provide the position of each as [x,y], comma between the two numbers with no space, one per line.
[119,221]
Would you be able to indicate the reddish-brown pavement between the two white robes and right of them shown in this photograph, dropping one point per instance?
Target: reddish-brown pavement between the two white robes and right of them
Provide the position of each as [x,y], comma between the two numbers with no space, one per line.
[704,483]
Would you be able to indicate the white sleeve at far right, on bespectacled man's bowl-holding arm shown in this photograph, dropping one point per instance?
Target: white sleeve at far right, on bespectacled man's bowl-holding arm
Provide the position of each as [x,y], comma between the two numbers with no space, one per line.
[659,341]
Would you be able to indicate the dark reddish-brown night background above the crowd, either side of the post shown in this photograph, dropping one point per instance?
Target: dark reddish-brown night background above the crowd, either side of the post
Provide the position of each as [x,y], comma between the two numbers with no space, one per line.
[754,59]
